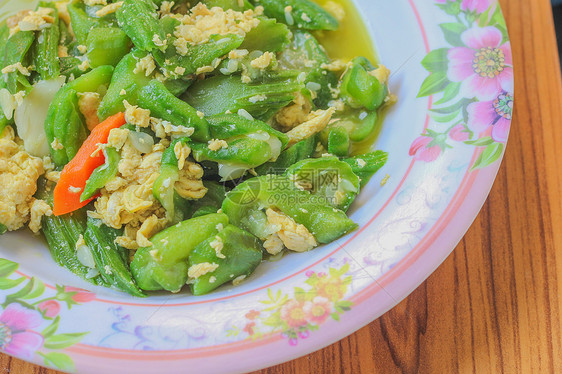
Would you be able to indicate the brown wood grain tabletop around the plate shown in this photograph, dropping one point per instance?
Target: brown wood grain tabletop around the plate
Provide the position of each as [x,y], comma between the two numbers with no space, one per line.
[495,304]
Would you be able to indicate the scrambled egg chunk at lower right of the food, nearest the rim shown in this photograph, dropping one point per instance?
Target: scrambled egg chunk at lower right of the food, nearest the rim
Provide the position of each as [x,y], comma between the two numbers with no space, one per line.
[287,233]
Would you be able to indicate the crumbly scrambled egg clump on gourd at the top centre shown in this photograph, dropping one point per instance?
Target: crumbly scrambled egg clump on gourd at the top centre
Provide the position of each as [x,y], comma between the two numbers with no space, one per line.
[202,22]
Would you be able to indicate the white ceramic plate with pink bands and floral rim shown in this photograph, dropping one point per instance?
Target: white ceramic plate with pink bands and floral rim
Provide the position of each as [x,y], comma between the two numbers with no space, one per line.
[453,74]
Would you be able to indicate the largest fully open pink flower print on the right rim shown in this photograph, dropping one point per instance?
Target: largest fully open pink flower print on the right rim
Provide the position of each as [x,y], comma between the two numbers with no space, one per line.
[484,67]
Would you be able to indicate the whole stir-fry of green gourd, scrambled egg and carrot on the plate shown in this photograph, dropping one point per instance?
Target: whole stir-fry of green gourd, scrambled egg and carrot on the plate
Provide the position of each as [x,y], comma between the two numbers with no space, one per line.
[158,144]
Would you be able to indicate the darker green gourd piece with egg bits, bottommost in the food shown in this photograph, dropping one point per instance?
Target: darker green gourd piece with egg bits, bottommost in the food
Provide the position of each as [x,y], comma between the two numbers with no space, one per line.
[242,255]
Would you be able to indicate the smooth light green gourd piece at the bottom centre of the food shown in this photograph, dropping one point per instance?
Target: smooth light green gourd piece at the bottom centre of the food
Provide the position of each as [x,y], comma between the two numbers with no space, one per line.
[163,266]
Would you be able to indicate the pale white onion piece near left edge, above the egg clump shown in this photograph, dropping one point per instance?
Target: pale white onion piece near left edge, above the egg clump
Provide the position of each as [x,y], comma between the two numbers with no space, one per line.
[31,114]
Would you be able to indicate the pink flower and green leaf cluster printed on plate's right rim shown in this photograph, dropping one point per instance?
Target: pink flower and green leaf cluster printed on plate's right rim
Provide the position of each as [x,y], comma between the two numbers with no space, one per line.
[474,78]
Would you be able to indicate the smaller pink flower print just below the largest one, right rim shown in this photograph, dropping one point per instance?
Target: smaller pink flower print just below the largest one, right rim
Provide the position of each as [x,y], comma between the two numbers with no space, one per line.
[494,115]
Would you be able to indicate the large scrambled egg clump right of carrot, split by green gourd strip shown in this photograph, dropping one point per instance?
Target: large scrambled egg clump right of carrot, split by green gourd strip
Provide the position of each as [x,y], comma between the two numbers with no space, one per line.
[127,200]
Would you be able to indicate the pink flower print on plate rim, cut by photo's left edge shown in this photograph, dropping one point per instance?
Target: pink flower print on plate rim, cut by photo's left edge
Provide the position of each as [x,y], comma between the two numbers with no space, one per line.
[16,338]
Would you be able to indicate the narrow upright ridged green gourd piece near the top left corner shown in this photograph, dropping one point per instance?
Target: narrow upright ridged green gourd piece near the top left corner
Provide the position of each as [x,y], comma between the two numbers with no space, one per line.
[46,47]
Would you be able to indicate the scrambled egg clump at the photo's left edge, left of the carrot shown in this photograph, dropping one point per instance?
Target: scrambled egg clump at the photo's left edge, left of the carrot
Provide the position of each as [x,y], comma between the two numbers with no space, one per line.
[19,172]
